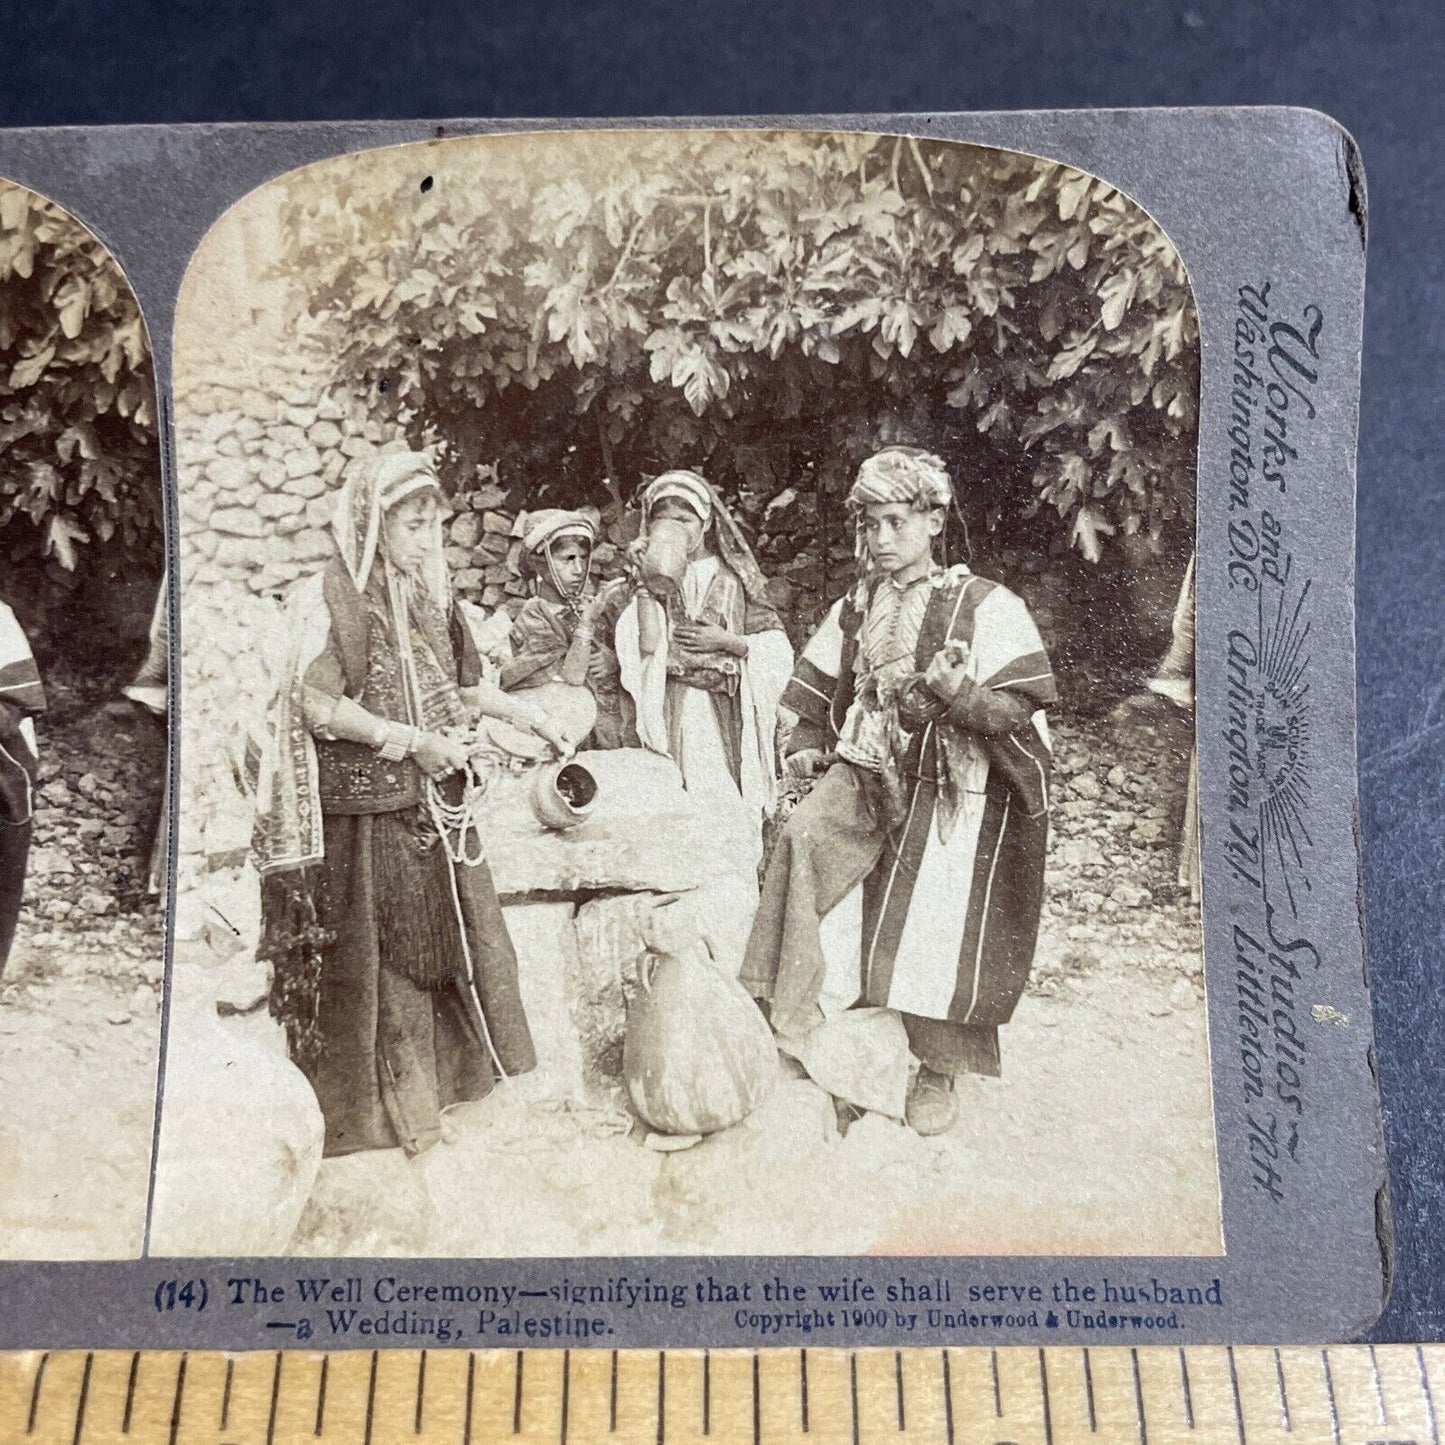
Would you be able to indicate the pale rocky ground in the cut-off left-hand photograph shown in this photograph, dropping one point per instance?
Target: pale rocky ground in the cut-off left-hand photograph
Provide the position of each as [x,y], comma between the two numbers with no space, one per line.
[80,1004]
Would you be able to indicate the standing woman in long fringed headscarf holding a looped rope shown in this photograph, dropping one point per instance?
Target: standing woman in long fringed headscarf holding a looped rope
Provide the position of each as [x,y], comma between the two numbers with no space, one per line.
[394,967]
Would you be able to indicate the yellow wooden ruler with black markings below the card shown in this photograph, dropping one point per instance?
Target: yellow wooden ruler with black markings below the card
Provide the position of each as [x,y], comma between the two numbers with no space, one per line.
[1345,1395]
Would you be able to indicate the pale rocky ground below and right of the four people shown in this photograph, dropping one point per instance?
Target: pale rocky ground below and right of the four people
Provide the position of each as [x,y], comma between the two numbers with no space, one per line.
[1097,1139]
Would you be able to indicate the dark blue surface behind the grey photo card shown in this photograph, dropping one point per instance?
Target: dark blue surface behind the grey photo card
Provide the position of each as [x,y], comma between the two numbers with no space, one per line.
[1376,67]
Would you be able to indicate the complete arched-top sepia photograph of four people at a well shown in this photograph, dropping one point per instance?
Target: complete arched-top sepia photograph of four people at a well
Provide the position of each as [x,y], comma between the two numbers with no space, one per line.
[687,709]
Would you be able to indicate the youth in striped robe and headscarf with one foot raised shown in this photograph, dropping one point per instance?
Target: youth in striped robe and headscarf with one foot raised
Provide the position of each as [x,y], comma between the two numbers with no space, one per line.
[911,878]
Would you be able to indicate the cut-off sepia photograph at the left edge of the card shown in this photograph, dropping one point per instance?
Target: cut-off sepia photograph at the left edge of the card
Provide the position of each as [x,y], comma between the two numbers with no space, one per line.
[83,742]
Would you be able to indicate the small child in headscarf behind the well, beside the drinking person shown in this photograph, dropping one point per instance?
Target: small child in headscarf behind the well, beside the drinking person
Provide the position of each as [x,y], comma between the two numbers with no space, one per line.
[564,632]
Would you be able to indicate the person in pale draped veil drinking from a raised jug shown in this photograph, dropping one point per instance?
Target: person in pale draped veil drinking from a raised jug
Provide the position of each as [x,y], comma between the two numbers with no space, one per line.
[707,664]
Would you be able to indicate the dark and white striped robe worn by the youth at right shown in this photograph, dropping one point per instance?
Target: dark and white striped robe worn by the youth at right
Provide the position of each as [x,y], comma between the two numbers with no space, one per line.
[943,920]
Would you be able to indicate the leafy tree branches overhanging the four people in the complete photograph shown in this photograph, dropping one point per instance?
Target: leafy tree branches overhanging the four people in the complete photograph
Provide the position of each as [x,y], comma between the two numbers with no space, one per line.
[738,287]
